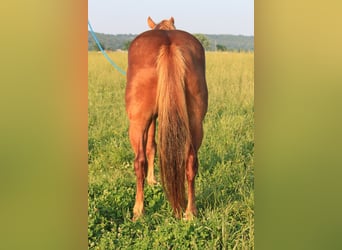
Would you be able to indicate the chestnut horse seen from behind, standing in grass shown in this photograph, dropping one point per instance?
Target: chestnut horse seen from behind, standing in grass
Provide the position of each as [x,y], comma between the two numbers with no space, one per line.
[166,79]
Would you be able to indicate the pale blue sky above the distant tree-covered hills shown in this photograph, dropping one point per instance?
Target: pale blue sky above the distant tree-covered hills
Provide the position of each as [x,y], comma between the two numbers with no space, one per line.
[234,17]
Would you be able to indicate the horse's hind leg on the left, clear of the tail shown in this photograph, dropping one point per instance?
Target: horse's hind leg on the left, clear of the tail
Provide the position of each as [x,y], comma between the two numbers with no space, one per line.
[137,135]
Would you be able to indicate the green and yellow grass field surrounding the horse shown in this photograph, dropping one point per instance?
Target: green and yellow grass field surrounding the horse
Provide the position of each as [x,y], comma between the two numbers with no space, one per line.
[225,180]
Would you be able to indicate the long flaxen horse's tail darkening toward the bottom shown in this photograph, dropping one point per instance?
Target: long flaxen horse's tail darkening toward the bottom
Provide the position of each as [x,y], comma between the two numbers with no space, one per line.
[173,127]
